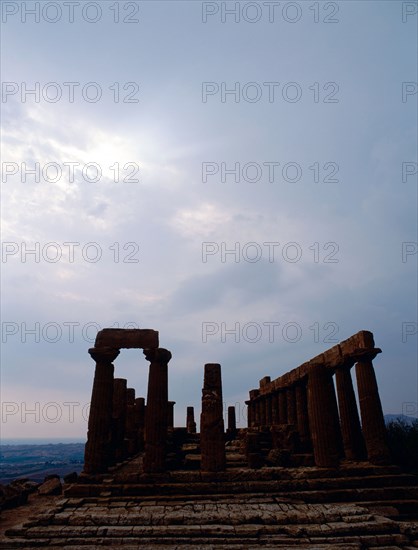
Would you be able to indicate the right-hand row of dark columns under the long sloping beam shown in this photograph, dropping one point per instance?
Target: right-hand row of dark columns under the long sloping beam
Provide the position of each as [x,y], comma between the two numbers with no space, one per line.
[332,429]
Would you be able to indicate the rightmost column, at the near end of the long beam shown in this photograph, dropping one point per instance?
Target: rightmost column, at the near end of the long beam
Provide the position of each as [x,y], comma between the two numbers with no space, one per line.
[373,423]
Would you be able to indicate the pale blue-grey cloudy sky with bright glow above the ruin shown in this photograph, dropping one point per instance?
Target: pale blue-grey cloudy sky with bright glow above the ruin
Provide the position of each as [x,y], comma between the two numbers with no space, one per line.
[239,176]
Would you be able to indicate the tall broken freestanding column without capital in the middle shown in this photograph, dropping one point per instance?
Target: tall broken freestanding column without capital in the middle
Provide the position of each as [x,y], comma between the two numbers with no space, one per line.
[212,437]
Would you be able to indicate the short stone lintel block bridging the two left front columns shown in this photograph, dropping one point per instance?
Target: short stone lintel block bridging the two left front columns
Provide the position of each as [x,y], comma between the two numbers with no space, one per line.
[127,338]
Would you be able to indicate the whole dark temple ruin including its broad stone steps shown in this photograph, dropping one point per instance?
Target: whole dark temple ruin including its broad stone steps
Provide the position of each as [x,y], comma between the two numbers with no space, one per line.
[310,470]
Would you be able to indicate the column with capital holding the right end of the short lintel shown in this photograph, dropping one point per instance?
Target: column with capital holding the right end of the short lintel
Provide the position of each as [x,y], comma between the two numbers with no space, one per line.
[157,406]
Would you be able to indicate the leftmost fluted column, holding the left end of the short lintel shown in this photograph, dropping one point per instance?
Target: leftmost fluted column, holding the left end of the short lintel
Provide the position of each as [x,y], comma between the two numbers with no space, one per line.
[98,452]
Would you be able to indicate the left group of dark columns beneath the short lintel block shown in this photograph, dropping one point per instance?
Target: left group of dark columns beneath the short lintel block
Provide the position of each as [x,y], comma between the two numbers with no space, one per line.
[120,424]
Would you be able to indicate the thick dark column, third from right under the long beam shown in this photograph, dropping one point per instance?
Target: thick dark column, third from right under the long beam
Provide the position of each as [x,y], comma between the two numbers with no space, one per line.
[321,399]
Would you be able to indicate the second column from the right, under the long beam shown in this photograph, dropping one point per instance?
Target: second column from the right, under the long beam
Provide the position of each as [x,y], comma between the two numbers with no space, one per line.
[354,448]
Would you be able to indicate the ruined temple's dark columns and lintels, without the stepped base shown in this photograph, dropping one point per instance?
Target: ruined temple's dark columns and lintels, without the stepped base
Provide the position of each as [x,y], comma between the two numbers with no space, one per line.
[297,419]
